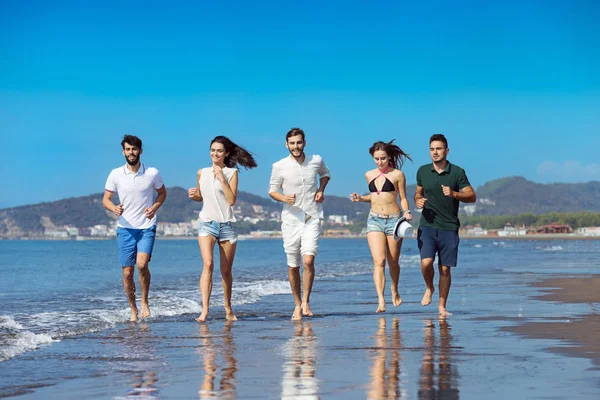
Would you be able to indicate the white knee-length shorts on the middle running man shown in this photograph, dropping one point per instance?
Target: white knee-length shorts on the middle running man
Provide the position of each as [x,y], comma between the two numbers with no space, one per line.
[300,240]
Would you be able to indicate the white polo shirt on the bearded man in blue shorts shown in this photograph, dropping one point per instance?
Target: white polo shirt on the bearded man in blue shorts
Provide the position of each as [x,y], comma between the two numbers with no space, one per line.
[136,193]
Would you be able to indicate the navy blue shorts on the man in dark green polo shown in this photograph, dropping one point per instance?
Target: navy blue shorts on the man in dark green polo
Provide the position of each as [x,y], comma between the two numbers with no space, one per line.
[436,241]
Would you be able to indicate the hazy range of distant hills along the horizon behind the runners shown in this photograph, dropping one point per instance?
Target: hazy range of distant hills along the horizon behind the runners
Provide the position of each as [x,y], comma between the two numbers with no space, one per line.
[506,196]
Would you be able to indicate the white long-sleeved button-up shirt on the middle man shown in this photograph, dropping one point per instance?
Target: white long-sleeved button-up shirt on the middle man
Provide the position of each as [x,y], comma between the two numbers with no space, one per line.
[299,179]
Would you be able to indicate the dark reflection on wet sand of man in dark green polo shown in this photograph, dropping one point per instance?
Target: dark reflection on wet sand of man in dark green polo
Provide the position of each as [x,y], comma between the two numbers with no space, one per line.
[446,386]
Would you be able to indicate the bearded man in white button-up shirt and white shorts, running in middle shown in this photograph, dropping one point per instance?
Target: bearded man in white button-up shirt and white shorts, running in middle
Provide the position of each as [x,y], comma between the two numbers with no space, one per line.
[294,183]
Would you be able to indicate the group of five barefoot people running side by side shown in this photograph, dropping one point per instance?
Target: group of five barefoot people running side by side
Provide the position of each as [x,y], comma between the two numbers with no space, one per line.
[298,181]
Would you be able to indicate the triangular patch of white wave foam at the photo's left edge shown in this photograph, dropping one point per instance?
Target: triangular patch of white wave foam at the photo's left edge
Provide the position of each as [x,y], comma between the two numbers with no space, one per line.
[15,340]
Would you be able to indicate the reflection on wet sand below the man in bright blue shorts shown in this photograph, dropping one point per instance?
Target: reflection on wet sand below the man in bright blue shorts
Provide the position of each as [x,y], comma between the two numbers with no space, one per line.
[139,345]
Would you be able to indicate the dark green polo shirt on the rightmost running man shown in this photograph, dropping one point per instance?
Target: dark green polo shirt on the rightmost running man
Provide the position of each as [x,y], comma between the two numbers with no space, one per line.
[441,212]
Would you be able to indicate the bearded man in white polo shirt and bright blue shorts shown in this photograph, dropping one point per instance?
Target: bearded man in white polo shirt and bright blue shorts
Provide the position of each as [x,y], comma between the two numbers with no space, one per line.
[135,185]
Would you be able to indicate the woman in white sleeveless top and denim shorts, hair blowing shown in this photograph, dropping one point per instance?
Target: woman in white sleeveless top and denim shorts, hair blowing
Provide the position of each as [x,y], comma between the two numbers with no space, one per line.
[216,187]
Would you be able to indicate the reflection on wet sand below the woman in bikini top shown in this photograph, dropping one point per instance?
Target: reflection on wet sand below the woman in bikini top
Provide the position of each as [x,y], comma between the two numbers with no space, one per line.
[385,375]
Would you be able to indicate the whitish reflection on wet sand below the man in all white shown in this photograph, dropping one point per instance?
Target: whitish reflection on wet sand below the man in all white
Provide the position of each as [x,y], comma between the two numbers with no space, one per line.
[298,381]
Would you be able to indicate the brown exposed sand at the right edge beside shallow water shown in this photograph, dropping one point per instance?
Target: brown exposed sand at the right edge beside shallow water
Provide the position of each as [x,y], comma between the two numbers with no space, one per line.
[581,333]
